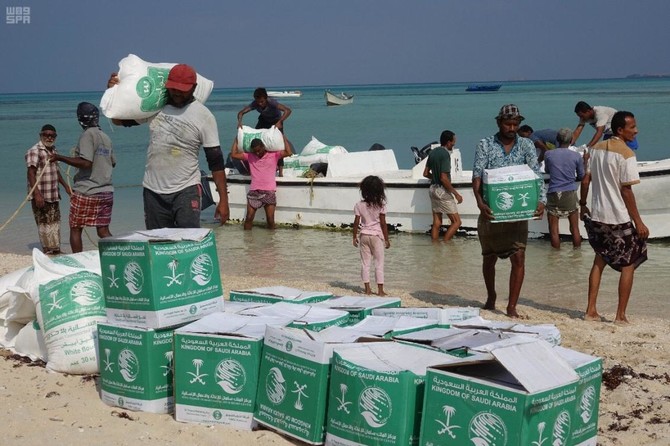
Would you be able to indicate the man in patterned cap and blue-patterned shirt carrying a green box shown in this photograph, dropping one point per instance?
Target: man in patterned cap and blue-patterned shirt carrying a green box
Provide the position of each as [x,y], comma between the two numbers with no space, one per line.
[504,239]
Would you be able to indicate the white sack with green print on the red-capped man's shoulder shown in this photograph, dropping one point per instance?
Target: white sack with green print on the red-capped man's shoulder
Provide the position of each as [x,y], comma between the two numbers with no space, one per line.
[141,91]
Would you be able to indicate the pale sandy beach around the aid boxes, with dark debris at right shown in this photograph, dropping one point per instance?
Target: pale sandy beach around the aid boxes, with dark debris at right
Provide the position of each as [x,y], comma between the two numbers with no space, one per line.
[40,407]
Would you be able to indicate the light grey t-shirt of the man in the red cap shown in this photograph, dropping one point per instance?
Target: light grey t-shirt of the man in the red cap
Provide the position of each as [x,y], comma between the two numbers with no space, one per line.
[176,135]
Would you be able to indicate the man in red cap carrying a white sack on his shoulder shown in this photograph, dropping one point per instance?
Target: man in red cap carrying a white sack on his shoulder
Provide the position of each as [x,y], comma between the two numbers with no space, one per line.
[172,193]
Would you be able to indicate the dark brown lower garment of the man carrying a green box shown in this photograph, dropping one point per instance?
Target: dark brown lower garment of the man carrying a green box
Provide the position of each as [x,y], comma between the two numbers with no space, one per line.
[502,239]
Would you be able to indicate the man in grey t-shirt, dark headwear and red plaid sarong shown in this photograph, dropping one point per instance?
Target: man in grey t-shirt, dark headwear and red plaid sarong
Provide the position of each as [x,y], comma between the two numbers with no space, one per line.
[93,193]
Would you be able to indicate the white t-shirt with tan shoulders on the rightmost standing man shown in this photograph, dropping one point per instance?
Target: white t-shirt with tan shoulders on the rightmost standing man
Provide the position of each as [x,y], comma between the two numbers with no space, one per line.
[612,164]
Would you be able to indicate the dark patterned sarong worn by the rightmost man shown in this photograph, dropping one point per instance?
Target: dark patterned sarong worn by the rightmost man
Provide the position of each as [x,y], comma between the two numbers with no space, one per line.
[619,245]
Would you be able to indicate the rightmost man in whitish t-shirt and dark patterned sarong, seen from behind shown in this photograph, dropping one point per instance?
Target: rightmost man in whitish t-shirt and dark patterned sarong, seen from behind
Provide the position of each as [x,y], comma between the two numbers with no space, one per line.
[615,228]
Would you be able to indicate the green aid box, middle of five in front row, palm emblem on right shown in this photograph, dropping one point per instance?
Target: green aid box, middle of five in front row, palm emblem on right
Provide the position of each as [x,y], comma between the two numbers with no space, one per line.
[294,375]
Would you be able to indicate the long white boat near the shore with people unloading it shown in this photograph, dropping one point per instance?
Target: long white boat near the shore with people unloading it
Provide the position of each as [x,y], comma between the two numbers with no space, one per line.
[329,201]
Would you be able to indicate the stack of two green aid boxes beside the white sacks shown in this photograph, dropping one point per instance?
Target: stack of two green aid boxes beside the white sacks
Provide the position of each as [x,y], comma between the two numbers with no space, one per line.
[153,281]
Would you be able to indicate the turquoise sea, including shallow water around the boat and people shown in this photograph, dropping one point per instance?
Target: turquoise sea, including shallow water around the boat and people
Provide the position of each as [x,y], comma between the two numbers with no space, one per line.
[396,116]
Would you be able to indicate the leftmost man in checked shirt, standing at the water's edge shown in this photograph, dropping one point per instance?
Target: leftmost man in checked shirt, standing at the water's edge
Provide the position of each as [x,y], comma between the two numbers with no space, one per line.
[43,180]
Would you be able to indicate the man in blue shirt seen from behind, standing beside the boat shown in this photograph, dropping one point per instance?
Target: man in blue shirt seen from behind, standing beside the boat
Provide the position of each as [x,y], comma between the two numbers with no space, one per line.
[564,166]
